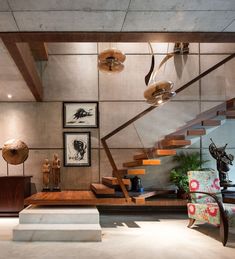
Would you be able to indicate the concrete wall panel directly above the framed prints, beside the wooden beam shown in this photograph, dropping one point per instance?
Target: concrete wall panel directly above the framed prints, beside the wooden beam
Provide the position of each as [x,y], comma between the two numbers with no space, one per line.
[71,77]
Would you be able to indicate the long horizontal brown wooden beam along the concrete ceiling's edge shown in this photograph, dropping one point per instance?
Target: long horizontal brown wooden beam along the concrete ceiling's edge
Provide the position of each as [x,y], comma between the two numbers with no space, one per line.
[218,37]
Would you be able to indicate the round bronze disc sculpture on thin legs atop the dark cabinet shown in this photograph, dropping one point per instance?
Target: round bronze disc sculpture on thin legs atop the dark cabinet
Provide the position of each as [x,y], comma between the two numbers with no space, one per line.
[15,152]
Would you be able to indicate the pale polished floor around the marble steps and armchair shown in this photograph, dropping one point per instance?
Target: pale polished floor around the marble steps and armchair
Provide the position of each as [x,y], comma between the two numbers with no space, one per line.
[142,235]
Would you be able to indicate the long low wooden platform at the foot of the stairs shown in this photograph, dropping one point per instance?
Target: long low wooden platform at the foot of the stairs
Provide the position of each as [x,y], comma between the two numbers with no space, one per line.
[88,198]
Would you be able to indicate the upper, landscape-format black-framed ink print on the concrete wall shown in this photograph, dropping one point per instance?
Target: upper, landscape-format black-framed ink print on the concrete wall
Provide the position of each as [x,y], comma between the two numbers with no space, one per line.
[80,115]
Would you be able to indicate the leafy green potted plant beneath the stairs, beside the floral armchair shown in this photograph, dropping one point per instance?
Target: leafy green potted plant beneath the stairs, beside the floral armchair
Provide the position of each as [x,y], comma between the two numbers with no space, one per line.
[178,175]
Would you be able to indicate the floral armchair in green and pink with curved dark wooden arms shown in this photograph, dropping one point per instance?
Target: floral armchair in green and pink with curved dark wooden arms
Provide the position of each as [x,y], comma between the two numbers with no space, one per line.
[206,202]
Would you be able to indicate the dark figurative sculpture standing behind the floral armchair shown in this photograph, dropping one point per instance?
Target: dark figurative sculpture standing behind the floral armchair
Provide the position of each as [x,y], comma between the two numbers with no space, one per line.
[223,160]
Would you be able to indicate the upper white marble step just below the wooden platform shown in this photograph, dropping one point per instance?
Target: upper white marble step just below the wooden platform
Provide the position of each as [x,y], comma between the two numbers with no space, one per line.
[59,215]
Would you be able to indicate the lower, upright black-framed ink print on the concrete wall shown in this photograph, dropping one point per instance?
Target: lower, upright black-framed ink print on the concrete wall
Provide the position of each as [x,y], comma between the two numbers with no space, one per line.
[77,149]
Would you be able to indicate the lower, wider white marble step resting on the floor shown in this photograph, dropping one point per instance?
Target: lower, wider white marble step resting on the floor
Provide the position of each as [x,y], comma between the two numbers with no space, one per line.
[57,232]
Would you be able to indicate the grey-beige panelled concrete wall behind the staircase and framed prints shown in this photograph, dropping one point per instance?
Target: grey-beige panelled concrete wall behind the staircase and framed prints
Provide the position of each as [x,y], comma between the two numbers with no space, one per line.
[71,75]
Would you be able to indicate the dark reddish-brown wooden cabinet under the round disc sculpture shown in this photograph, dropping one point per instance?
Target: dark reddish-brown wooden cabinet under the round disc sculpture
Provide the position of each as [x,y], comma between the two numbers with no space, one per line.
[13,191]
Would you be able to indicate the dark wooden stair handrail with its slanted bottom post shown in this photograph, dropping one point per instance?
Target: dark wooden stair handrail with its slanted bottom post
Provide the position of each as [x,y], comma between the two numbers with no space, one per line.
[138,116]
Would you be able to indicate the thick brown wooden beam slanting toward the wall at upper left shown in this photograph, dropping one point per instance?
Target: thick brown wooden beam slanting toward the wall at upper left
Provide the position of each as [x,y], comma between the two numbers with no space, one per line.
[22,56]
